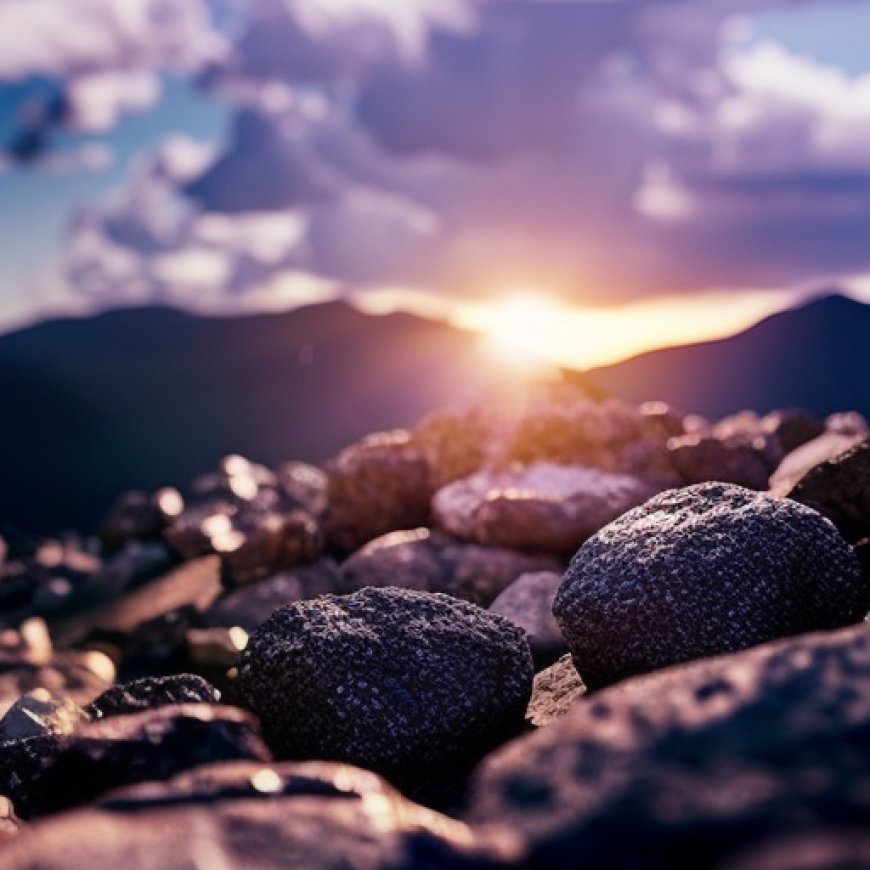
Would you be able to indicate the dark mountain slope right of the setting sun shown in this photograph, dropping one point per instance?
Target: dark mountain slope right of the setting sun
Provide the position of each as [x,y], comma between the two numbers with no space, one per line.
[816,356]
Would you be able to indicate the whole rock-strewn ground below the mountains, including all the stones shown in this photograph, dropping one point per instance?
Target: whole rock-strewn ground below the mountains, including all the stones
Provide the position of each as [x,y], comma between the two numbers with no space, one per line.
[567,633]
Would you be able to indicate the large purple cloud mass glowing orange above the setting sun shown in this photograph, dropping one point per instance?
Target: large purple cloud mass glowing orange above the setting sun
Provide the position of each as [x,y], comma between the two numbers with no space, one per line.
[599,151]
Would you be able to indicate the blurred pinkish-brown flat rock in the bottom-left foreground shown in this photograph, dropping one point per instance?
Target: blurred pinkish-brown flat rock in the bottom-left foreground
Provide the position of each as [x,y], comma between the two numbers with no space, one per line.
[239,815]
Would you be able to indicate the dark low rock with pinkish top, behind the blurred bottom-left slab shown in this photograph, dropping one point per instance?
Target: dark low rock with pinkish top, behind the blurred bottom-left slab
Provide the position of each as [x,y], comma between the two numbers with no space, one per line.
[47,774]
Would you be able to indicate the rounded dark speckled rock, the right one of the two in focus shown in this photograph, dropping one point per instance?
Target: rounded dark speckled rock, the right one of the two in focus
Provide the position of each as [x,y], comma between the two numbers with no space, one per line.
[707,569]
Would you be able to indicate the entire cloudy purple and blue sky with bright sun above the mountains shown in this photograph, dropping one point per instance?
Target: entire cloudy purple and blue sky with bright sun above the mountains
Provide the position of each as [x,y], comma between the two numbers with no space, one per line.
[612,175]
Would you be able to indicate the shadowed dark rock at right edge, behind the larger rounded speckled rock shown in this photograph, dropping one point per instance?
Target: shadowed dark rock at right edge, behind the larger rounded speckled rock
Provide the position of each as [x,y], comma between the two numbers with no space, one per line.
[840,490]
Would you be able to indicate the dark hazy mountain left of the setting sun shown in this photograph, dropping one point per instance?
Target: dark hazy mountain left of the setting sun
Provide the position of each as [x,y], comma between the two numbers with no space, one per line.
[142,398]
